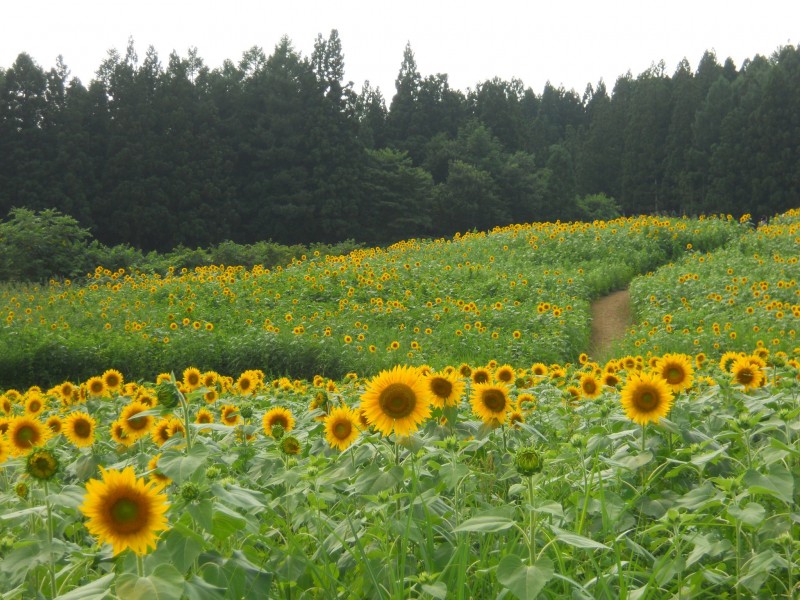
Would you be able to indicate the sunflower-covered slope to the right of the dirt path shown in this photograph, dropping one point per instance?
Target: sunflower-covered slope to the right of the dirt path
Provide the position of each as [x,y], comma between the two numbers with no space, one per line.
[734,298]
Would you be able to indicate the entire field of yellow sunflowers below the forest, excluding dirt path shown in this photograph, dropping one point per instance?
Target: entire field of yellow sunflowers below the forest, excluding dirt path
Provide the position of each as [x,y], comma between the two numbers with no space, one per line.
[419,421]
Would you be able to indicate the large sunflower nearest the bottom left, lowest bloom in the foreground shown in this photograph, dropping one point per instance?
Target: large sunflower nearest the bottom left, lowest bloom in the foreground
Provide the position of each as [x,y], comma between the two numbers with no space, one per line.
[124,511]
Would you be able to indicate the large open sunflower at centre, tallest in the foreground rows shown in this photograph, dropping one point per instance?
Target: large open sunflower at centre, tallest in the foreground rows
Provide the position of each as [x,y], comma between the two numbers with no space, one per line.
[397,400]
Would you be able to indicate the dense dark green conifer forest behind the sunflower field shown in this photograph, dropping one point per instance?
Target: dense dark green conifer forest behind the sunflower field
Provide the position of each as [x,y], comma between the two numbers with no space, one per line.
[281,147]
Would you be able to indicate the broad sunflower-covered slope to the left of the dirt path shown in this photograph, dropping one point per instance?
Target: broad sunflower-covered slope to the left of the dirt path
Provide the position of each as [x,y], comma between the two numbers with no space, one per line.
[515,293]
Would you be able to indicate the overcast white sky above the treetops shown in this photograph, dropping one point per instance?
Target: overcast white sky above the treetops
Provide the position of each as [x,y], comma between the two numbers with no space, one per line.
[566,43]
